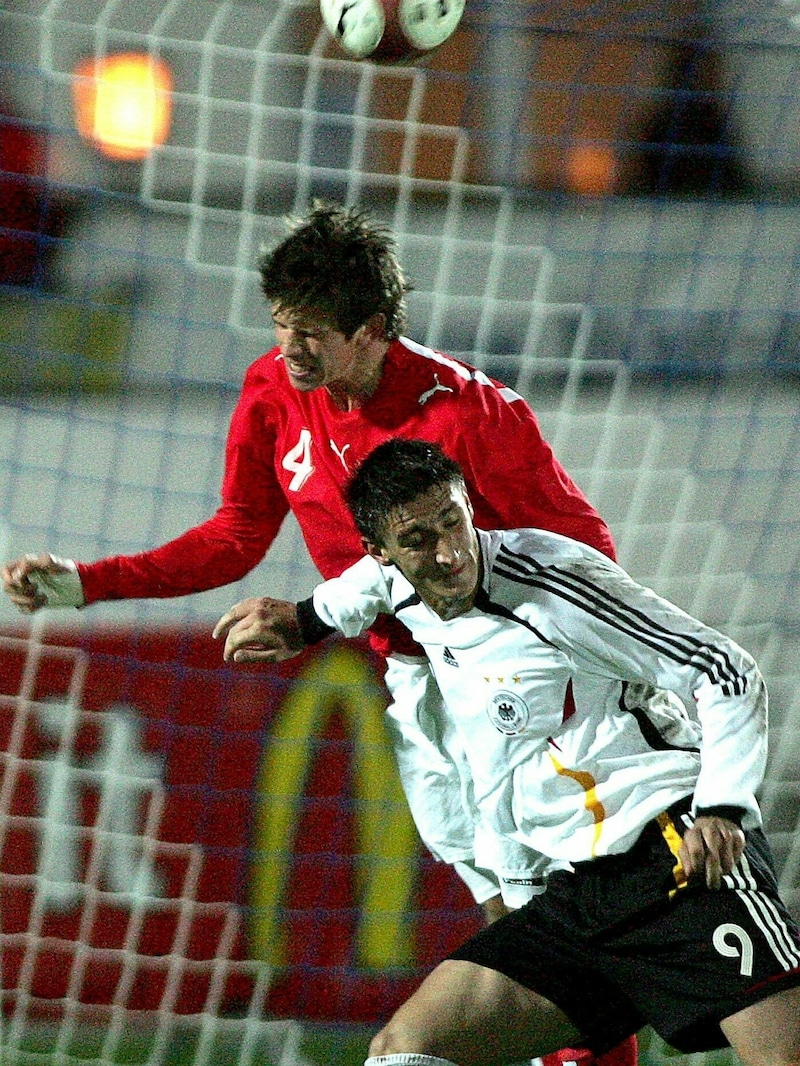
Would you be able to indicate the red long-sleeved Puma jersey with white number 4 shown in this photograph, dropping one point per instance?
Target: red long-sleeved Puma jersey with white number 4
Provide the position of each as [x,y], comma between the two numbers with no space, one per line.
[295,451]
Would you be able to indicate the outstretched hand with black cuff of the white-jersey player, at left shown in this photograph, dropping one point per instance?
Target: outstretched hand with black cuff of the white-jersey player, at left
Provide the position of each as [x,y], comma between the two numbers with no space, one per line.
[261,629]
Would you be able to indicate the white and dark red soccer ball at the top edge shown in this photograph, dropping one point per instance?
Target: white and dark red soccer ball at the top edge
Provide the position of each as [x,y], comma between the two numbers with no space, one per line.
[391,31]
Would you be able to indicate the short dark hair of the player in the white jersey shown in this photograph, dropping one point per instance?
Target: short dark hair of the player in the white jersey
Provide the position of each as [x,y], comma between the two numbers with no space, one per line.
[392,476]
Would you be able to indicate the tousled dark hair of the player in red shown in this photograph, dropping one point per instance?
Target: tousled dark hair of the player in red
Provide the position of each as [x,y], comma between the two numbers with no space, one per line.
[340,264]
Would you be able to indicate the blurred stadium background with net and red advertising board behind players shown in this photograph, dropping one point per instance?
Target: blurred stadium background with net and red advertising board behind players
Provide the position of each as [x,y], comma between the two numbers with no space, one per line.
[597,203]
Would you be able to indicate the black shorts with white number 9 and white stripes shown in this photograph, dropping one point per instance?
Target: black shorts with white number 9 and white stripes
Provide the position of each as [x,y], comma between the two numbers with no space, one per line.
[626,942]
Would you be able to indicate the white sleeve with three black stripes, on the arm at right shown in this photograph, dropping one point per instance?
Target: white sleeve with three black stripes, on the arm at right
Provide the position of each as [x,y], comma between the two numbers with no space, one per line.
[609,624]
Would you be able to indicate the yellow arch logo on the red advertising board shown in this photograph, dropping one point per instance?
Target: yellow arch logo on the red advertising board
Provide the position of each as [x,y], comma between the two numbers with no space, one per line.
[387,838]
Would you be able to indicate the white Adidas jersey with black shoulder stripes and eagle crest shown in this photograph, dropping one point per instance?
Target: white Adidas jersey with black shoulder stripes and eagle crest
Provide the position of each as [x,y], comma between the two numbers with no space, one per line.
[586,704]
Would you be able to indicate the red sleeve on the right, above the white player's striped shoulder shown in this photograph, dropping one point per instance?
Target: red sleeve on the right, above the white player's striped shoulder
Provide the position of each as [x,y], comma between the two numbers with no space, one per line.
[514,477]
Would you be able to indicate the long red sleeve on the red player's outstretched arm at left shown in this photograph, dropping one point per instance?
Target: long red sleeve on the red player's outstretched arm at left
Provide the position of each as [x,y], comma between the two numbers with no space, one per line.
[222,550]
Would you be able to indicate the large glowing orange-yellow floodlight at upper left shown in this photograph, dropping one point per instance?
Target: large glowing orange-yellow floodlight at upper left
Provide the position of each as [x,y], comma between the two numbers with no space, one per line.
[123,104]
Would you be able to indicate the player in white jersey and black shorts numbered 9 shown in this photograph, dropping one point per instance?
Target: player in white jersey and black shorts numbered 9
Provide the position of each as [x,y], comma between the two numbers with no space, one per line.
[615,741]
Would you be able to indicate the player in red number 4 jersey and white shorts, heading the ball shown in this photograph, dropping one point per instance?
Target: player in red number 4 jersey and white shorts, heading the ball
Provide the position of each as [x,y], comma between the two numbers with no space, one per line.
[340,382]
